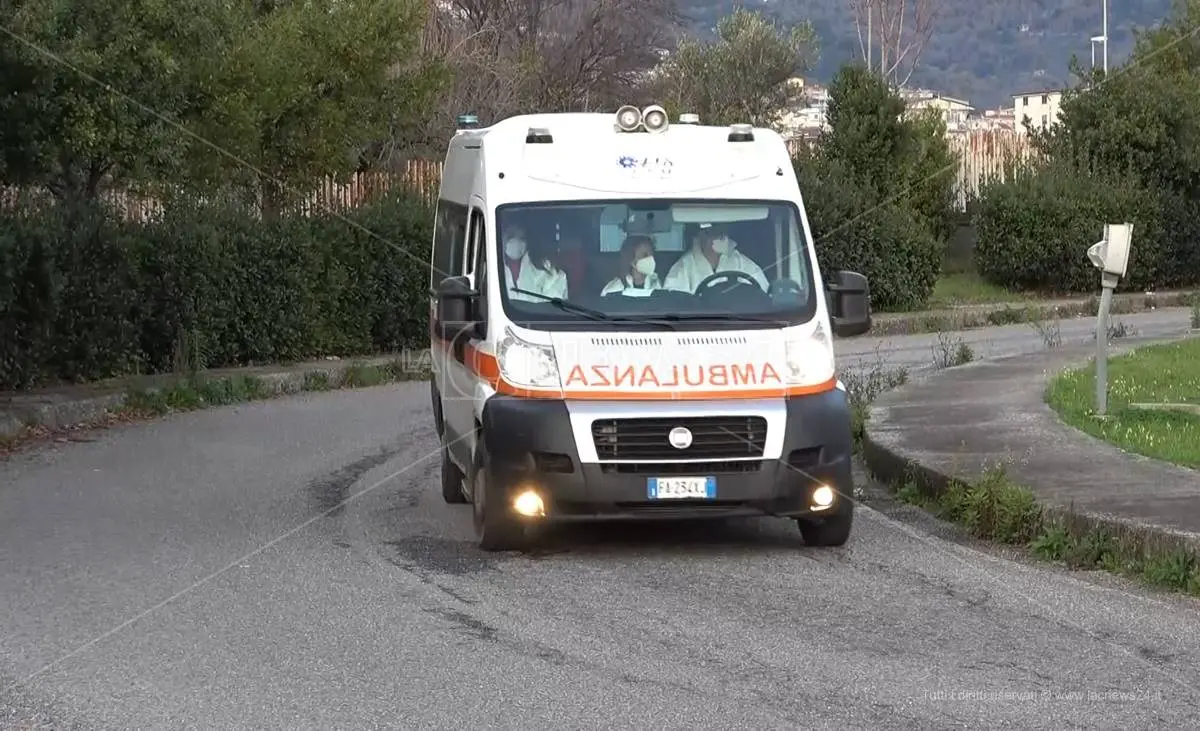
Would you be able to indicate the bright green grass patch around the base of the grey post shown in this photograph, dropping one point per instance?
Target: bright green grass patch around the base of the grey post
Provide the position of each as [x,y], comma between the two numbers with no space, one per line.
[1154,406]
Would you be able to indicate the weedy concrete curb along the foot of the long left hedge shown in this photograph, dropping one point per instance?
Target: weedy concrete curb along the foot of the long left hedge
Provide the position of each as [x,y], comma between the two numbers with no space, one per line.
[79,409]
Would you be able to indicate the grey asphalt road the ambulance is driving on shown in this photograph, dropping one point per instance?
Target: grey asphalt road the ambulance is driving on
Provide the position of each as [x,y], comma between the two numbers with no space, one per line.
[291,565]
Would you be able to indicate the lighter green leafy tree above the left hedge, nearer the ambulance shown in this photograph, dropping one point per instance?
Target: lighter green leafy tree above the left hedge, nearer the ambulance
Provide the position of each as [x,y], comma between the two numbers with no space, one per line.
[308,87]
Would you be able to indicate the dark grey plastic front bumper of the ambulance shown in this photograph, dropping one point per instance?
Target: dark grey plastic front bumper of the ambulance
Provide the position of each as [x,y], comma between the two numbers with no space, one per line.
[532,446]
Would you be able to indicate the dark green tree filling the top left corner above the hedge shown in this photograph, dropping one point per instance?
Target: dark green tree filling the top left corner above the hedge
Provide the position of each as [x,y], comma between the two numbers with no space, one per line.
[94,91]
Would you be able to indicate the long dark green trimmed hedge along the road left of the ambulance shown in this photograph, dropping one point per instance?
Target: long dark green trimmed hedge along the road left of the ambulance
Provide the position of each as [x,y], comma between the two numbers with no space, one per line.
[86,297]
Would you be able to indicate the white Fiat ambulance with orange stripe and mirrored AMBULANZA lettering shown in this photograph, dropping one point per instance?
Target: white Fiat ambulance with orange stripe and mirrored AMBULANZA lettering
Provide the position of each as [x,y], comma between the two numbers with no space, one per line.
[628,322]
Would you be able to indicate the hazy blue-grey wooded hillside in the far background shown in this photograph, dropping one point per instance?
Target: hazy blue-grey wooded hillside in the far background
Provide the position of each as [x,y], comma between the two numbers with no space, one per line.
[981,50]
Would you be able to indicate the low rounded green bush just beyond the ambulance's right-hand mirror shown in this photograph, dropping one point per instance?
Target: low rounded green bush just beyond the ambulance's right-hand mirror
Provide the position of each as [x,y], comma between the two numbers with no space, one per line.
[887,242]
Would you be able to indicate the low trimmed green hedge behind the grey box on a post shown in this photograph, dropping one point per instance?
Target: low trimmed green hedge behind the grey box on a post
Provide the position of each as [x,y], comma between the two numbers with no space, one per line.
[1035,231]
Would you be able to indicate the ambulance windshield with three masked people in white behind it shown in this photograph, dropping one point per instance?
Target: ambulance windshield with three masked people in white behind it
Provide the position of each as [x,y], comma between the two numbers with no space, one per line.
[703,262]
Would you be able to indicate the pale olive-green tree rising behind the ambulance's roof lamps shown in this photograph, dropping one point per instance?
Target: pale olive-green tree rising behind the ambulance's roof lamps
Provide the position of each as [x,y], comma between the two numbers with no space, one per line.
[745,75]
